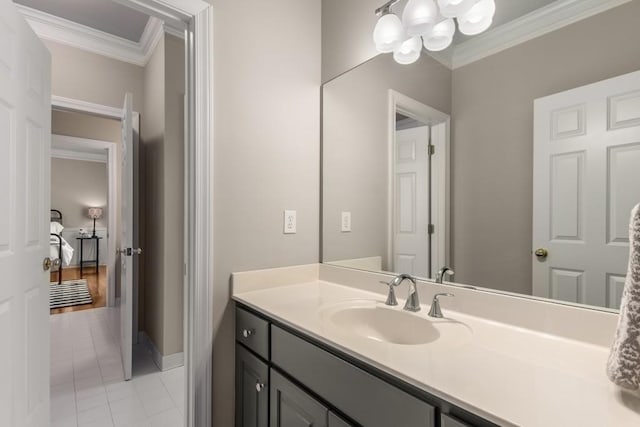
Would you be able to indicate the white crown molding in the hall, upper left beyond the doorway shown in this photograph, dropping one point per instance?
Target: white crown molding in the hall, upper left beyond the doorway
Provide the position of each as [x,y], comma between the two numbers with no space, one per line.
[72,34]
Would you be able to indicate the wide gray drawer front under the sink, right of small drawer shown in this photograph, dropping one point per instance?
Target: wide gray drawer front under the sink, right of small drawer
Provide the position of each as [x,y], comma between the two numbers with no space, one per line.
[363,397]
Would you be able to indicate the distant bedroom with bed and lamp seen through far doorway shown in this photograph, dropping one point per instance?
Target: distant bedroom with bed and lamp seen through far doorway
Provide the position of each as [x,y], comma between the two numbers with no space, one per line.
[82,196]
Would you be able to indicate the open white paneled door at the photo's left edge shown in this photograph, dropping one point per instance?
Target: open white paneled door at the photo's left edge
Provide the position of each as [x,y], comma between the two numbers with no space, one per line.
[25,144]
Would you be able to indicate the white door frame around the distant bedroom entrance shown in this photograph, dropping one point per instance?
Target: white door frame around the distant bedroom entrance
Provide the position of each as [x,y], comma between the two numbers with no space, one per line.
[112,180]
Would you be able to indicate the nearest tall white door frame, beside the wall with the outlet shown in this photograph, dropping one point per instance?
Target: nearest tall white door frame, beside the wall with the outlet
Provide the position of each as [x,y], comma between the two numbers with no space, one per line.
[195,19]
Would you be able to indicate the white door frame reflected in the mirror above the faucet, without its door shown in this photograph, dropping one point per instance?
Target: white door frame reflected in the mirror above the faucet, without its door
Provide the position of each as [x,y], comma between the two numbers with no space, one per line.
[440,137]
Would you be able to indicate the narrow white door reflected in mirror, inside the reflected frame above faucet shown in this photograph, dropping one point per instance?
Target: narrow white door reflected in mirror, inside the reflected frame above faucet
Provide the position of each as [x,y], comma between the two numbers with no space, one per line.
[411,251]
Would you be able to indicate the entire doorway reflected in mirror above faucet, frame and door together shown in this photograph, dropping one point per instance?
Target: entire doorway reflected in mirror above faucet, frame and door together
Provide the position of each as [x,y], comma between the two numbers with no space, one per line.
[418,187]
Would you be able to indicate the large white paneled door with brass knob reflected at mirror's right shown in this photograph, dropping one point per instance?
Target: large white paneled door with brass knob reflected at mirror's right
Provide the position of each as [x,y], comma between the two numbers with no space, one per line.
[586,181]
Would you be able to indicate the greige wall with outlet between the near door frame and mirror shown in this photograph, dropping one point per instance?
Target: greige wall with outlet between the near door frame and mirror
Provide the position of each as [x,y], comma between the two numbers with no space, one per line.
[267,97]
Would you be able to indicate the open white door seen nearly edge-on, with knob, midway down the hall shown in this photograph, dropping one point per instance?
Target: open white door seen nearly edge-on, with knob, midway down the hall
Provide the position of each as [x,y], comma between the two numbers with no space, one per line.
[126,226]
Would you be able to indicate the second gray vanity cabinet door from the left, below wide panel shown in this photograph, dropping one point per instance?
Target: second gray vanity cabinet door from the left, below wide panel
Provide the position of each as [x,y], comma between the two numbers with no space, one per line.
[292,407]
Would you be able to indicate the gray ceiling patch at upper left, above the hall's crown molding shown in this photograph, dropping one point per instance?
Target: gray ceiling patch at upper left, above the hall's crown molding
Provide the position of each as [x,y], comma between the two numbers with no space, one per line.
[103,15]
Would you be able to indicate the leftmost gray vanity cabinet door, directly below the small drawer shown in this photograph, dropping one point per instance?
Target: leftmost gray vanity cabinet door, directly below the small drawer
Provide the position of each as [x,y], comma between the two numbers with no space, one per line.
[252,390]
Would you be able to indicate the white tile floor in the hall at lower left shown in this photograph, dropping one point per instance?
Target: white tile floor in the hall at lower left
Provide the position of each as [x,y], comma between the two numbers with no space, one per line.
[87,386]
